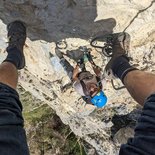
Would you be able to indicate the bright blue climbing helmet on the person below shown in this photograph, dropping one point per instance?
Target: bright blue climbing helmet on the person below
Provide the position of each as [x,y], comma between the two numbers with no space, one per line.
[99,100]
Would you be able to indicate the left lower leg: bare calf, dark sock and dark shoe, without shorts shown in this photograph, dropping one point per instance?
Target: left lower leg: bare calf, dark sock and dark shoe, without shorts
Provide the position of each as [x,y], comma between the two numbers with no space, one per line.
[15,58]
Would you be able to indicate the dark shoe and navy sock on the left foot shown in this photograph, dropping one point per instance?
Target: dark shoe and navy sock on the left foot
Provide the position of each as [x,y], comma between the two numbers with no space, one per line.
[16,40]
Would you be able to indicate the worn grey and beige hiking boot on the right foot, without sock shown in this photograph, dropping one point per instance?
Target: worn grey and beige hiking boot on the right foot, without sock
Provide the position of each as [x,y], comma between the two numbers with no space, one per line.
[120,46]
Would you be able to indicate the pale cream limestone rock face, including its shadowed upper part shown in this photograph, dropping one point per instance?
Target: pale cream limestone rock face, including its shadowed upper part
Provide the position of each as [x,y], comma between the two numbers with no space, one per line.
[75,22]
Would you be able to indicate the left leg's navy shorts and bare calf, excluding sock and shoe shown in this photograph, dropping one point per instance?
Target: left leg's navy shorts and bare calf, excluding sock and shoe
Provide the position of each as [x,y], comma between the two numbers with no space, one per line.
[12,133]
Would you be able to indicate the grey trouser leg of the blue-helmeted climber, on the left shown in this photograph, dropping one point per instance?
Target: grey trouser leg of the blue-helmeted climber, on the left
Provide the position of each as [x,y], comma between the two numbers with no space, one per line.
[67,67]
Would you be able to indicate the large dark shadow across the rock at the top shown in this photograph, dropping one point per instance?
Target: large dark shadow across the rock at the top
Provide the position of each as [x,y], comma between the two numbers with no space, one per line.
[56,20]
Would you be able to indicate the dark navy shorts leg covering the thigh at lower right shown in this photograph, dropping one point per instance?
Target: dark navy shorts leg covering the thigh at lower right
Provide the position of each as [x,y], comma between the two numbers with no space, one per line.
[144,138]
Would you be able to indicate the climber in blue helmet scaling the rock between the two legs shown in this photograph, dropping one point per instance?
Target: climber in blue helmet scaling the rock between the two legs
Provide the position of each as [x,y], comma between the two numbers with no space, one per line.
[88,85]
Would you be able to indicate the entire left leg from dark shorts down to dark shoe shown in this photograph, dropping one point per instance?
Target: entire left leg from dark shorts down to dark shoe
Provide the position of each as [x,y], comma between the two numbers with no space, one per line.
[12,133]
